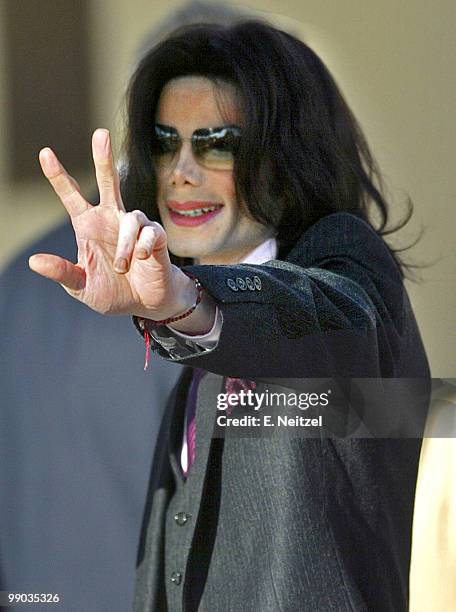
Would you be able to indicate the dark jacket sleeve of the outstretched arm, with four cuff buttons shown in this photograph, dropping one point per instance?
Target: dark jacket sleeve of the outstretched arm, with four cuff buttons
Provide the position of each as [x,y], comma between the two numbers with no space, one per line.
[333,308]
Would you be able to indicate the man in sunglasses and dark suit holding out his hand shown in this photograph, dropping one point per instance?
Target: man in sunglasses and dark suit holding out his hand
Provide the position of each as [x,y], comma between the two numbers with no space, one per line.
[257,177]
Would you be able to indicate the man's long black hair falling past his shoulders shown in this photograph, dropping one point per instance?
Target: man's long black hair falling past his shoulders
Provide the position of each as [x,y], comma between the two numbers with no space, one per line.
[303,154]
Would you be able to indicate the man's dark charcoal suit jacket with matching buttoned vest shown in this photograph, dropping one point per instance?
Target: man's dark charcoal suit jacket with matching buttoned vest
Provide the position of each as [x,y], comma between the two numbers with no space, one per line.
[290,524]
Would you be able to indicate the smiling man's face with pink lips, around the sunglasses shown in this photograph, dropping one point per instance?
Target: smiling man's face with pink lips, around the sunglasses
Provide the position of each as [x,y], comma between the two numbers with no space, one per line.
[222,232]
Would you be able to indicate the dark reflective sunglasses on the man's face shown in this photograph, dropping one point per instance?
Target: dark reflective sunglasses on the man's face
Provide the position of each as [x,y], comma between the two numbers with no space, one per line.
[214,148]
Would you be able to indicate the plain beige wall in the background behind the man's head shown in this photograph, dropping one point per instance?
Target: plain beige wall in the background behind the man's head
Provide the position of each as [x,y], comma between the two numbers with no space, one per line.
[395,63]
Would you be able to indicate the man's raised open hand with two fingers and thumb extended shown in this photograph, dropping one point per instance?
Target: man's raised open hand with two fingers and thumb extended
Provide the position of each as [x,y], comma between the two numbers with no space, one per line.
[123,265]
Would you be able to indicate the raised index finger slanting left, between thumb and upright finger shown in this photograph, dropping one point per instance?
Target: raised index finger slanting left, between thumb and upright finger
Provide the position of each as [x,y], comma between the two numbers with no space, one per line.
[64,185]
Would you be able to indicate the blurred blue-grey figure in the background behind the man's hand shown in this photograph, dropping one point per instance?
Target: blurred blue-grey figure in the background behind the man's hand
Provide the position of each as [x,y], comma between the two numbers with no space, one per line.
[75,452]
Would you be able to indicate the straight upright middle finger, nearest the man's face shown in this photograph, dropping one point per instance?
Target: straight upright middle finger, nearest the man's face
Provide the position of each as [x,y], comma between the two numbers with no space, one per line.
[105,170]
